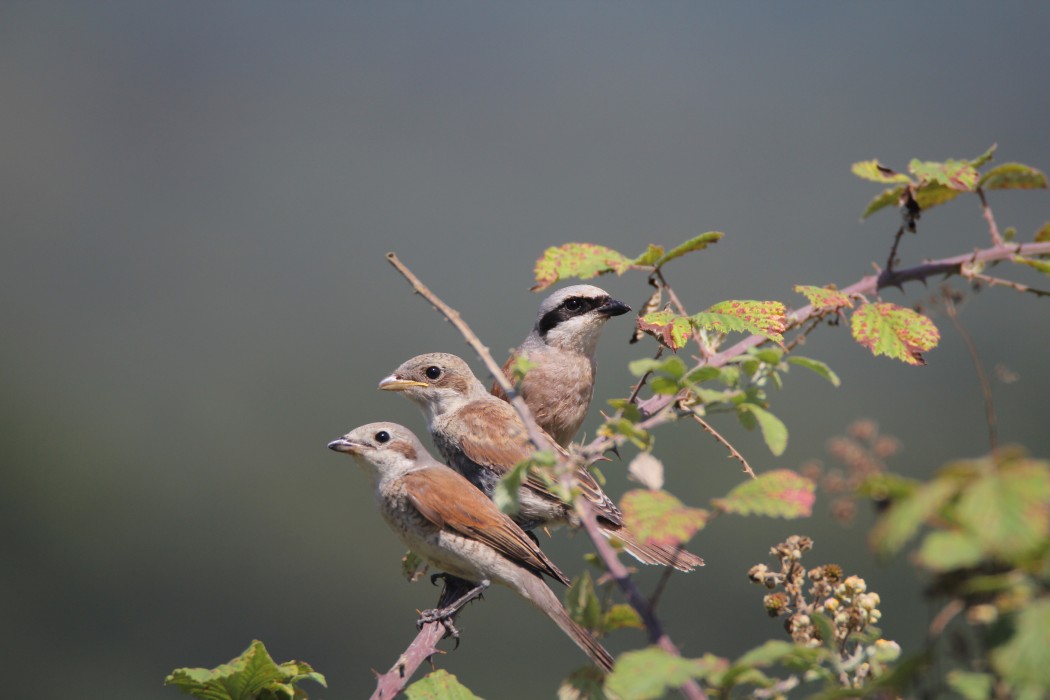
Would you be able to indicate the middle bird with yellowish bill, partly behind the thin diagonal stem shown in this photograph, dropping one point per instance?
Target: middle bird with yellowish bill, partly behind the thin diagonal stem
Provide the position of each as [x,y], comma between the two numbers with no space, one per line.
[484,438]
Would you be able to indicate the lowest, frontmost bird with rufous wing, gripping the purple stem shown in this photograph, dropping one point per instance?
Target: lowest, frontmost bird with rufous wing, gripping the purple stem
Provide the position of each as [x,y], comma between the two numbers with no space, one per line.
[442,517]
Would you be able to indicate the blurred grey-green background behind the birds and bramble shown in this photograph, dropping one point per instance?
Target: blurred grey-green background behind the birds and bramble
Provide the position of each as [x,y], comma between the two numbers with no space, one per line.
[196,202]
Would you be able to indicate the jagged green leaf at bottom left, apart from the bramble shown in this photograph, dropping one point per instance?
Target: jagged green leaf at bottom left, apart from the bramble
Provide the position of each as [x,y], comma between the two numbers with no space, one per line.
[253,675]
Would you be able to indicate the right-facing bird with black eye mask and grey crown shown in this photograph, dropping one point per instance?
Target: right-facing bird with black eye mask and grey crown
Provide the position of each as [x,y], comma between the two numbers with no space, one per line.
[559,386]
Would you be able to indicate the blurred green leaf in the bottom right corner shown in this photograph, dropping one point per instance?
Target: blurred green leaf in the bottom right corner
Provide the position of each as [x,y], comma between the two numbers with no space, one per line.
[1025,660]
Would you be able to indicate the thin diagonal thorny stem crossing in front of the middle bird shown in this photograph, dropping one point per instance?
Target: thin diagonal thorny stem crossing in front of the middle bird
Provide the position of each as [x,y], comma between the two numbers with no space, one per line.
[690,690]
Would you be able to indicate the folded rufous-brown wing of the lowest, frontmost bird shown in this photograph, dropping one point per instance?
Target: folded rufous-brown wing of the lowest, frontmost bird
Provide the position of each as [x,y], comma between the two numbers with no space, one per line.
[471,514]
